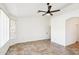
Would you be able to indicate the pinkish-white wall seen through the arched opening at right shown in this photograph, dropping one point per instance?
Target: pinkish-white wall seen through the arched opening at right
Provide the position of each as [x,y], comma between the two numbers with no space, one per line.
[72,32]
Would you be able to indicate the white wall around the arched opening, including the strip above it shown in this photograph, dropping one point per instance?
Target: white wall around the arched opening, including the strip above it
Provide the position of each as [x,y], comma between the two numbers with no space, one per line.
[58,29]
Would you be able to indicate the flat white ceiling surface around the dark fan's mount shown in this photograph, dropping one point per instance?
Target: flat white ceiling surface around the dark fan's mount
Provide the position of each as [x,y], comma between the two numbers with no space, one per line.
[30,9]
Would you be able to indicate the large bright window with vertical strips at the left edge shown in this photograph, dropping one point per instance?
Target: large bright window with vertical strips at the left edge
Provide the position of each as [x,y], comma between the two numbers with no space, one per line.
[4,28]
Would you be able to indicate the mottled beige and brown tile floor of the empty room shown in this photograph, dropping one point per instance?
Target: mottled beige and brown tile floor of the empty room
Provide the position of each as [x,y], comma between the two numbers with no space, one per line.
[42,47]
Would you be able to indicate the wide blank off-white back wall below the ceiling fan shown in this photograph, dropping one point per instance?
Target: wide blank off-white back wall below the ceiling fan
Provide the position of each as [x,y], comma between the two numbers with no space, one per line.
[32,28]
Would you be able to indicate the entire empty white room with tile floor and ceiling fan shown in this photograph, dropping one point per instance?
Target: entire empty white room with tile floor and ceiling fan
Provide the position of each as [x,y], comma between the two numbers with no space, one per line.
[39,29]
